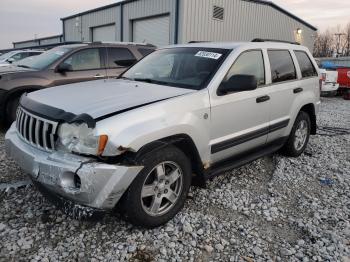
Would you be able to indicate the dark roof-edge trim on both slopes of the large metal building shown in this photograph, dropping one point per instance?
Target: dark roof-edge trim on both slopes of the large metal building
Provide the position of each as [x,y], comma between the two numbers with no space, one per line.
[263,2]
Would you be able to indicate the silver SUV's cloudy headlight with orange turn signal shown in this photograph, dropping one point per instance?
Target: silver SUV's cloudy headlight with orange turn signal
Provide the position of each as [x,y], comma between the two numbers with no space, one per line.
[79,138]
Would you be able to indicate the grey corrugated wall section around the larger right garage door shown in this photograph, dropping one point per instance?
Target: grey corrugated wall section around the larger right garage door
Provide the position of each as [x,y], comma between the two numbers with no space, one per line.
[147,8]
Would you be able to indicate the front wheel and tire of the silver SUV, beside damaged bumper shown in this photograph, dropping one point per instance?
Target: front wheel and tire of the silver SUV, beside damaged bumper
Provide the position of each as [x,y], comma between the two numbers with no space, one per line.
[159,191]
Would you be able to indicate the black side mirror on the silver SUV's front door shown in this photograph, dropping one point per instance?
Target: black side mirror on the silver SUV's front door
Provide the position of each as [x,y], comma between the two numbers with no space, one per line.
[238,83]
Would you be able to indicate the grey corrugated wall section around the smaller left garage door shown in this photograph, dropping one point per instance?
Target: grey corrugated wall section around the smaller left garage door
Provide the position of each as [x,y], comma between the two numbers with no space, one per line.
[79,28]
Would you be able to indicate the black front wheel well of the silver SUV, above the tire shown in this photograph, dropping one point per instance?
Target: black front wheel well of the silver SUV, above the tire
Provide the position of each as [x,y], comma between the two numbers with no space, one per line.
[187,146]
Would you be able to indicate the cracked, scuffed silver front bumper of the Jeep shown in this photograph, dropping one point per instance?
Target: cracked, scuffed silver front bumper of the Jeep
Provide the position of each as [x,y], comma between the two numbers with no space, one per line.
[80,180]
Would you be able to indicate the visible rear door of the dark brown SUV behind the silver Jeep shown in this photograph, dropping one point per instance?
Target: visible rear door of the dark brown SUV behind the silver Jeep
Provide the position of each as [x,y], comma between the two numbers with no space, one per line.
[116,58]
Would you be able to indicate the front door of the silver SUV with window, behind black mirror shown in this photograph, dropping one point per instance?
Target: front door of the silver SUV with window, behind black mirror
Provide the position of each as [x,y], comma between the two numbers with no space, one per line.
[240,120]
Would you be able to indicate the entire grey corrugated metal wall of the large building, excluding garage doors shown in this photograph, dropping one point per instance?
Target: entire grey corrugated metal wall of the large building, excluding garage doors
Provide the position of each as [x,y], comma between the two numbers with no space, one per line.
[243,21]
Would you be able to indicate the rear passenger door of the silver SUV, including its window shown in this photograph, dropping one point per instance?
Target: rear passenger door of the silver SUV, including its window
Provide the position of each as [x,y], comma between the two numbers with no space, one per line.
[284,88]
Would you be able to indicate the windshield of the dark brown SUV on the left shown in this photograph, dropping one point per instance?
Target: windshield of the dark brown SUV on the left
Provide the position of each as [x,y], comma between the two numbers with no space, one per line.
[45,59]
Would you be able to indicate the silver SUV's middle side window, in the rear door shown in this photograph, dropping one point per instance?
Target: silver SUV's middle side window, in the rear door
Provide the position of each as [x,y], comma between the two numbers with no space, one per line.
[282,66]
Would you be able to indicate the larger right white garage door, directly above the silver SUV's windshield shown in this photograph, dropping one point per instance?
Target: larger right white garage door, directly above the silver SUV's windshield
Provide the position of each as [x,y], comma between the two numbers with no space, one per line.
[154,31]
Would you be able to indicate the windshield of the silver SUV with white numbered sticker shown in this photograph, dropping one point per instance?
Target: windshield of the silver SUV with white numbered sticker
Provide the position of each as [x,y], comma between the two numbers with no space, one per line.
[185,67]
